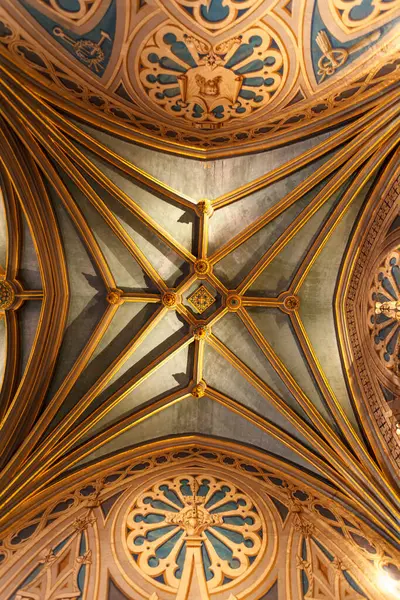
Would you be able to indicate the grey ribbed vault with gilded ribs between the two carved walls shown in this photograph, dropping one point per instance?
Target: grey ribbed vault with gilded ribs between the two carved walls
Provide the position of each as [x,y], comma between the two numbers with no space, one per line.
[148,297]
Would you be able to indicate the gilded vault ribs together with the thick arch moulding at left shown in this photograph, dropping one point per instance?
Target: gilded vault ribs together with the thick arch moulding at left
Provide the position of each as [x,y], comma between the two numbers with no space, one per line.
[40,147]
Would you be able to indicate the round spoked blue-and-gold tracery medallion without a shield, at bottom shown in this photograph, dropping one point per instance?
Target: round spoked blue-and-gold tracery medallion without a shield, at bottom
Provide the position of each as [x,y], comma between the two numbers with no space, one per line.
[169,519]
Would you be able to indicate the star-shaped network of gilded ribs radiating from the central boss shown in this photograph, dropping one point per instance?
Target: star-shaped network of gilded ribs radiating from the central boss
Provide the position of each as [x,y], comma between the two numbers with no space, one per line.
[56,453]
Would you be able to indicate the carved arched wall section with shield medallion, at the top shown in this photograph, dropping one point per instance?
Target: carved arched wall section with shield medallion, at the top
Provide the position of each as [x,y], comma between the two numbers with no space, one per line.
[200,76]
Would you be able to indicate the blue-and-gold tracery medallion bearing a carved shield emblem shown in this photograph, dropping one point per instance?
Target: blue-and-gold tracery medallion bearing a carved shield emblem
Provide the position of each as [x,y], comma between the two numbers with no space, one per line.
[209,85]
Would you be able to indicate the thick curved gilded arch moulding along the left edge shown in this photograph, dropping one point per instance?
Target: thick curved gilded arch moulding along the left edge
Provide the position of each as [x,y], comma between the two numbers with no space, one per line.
[39,214]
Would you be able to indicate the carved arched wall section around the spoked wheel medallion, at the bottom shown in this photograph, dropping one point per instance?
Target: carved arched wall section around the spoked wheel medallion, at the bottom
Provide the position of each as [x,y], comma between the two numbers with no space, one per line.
[297,541]
